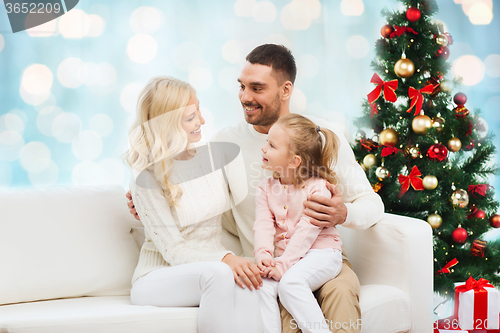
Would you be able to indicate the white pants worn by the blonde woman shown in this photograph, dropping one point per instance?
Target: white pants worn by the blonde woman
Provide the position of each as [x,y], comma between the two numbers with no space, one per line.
[224,307]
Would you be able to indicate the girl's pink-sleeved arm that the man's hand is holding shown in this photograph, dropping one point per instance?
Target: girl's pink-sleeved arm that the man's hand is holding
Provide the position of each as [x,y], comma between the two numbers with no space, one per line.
[304,236]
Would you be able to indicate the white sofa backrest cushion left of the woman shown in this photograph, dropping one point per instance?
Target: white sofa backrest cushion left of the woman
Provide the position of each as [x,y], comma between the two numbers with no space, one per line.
[65,242]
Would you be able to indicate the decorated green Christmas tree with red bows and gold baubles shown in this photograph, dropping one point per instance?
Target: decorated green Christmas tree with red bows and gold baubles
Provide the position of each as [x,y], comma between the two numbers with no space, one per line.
[429,155]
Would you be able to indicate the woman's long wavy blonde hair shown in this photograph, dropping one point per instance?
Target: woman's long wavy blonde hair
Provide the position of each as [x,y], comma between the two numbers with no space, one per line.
[157,134]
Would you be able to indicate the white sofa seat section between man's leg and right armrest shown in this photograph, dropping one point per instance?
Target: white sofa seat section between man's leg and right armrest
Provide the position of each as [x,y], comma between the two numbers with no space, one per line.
[384,309]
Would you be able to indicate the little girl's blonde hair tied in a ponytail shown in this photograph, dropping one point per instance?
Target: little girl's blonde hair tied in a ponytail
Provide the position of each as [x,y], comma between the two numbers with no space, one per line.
[318,158]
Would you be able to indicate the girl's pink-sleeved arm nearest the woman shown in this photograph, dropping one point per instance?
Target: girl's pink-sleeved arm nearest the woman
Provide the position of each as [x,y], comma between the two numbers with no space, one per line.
[263,228]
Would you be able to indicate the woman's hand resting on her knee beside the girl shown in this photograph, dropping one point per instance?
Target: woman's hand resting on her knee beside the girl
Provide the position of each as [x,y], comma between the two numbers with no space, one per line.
[244,269]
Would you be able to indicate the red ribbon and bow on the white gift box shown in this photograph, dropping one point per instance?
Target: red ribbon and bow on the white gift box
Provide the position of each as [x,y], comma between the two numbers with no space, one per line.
[480,299]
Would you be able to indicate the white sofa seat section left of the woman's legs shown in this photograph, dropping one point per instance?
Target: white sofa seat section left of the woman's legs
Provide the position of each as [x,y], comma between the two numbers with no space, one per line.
[108,314]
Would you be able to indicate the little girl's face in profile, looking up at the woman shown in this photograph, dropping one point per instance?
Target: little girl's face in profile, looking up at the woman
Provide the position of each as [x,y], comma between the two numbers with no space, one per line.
[276,156]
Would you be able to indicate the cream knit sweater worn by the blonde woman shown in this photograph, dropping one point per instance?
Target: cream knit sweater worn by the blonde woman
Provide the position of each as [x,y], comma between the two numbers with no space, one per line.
[190,232]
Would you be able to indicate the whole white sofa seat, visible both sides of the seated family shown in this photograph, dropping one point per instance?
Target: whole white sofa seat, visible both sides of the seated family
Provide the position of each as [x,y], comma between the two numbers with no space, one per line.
[110,314]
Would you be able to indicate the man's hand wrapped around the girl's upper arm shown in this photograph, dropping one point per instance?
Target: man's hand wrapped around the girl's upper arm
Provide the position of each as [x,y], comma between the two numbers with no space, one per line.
[326,212]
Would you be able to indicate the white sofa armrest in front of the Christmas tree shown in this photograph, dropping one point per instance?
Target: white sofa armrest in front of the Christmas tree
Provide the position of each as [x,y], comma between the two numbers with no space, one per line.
[396,251]
